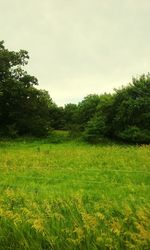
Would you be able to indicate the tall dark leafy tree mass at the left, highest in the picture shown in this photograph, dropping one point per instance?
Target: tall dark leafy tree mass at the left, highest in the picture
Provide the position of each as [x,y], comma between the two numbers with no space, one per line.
[23,108]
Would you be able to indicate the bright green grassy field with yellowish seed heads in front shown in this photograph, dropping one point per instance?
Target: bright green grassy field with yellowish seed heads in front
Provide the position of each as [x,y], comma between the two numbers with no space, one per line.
[71,195]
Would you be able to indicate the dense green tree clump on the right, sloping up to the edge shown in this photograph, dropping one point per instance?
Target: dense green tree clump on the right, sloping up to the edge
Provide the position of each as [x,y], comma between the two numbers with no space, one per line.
[124,115]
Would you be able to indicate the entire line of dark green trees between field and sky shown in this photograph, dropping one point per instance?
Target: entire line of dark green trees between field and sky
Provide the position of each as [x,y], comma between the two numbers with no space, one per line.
[28,111]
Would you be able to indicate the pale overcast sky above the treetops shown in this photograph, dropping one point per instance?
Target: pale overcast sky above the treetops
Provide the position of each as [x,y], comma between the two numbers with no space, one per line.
[79,47]
